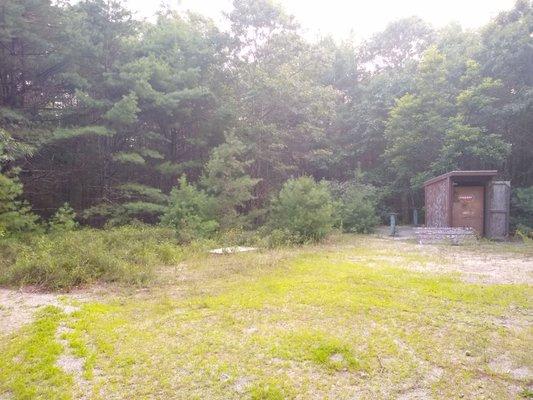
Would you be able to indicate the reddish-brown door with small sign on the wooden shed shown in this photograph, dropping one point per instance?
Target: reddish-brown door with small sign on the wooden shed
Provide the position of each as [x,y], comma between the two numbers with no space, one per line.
[468,207]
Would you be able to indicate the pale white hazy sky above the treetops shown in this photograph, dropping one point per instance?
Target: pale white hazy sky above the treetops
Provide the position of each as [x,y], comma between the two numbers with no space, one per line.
[359,18]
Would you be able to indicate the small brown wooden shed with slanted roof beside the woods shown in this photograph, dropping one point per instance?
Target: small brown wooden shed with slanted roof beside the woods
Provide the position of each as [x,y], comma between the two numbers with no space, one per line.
[471,199]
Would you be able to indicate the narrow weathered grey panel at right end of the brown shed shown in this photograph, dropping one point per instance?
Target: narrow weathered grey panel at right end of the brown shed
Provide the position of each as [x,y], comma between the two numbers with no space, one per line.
[498,204]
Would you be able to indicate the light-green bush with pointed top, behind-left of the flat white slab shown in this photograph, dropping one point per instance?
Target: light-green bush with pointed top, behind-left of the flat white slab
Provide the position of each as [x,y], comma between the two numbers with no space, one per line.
[191,212]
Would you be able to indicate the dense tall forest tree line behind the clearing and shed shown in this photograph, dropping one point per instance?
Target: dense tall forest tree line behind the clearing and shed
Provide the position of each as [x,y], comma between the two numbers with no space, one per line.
[106,113]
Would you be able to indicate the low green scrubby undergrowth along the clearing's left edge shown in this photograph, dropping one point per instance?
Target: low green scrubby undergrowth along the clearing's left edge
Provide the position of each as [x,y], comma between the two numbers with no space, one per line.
[64,260]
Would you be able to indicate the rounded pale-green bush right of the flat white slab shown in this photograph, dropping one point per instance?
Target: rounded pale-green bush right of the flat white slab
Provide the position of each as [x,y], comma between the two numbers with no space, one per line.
[303,209]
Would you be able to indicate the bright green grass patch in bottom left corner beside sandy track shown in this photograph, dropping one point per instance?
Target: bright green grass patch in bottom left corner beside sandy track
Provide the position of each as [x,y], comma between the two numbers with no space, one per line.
[28,367]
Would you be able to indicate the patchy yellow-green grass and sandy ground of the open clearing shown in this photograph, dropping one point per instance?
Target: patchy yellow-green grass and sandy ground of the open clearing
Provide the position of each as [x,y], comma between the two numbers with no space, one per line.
[338,321]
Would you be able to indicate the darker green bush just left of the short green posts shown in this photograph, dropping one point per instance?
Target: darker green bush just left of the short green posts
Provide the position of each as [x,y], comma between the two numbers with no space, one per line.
[357,208]
